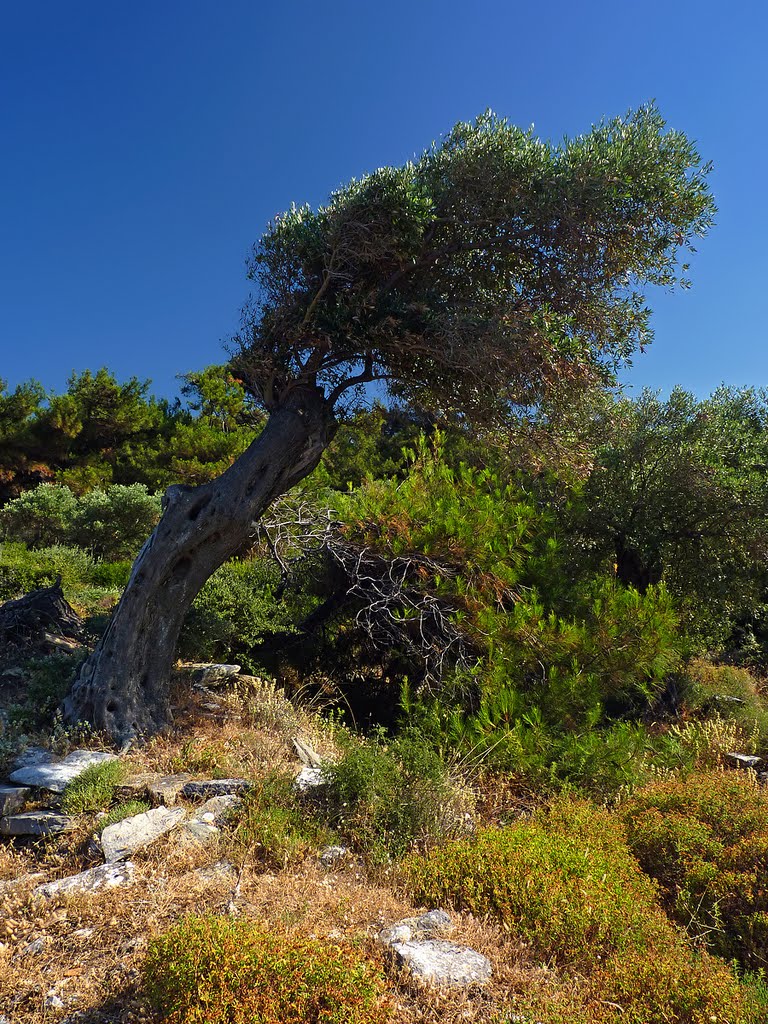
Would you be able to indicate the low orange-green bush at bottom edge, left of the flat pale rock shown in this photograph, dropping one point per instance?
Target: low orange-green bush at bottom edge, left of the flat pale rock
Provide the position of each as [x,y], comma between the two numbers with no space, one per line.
[224,971]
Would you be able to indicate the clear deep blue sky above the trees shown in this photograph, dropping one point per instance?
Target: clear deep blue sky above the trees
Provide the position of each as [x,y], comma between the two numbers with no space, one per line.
[145,146]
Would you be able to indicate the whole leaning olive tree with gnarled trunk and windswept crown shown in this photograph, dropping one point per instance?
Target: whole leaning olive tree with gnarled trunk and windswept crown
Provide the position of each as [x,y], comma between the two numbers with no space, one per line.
[494,274]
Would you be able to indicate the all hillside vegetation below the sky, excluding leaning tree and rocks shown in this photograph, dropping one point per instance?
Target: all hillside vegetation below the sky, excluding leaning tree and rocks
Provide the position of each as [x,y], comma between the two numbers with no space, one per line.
[527,662]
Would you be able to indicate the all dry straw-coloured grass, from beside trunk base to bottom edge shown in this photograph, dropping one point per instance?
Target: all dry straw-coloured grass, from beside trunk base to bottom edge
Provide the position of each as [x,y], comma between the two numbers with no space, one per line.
[88,951]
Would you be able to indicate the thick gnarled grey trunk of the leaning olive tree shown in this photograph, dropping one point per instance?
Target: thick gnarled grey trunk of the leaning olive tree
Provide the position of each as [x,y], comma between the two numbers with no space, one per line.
[122,690]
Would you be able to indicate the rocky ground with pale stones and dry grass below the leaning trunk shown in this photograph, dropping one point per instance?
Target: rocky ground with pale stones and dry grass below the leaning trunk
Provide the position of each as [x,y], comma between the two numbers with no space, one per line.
[79,904]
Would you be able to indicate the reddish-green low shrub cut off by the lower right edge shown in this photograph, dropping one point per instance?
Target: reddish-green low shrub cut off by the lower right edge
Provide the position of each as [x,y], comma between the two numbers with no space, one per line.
[705,840]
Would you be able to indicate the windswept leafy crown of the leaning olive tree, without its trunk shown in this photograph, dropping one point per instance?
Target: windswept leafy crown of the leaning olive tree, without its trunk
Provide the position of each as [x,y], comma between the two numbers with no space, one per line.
[491,274]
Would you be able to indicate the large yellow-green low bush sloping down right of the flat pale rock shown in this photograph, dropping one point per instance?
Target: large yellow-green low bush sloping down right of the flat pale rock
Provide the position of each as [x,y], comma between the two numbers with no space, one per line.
[567,884]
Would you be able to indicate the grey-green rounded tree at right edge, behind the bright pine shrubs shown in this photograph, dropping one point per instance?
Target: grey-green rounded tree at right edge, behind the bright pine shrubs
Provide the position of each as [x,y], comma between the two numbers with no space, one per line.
[679,494]
